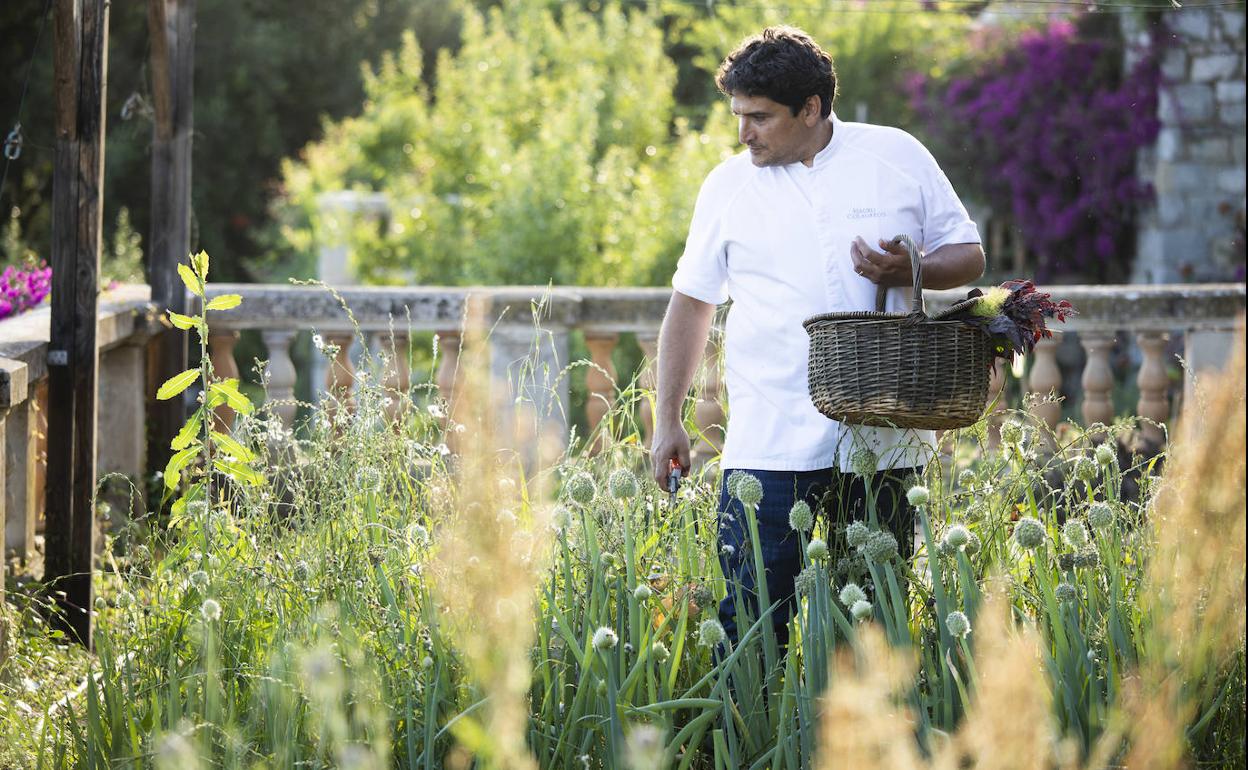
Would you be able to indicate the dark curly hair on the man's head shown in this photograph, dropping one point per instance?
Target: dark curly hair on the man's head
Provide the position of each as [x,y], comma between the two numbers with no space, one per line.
[783,64]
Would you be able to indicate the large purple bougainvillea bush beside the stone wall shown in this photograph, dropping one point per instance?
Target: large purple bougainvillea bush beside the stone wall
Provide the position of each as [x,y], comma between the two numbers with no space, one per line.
[1051,130]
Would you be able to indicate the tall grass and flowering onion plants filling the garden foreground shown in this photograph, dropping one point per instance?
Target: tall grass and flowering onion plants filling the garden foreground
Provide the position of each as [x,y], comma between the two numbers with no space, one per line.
[383,602]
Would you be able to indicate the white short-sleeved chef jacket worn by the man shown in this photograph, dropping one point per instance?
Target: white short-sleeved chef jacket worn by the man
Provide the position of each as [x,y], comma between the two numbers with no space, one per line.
[777,241]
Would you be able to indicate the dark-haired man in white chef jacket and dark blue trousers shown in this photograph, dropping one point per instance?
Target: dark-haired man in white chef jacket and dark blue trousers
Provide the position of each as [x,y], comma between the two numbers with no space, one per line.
[799,225]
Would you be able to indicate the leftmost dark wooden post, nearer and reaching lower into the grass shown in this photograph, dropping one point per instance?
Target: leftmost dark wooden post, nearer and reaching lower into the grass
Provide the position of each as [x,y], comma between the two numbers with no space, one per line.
[78,198]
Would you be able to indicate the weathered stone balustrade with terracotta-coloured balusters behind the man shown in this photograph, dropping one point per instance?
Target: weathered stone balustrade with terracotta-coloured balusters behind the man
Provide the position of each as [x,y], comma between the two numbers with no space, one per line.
[1148,321]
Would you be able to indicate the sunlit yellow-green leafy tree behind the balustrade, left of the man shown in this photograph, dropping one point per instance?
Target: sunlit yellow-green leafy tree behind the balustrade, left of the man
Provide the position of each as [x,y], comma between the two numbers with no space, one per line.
[550,150]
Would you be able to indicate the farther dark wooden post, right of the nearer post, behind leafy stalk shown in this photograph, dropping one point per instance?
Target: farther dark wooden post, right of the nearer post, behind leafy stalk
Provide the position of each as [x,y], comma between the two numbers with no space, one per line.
[172,27]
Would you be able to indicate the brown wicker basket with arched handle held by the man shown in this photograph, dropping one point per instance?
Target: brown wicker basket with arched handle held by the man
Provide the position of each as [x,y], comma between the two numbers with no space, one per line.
[899,370]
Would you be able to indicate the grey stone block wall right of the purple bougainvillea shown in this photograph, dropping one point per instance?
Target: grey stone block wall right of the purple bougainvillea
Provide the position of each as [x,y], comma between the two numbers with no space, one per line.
[1195,233]
